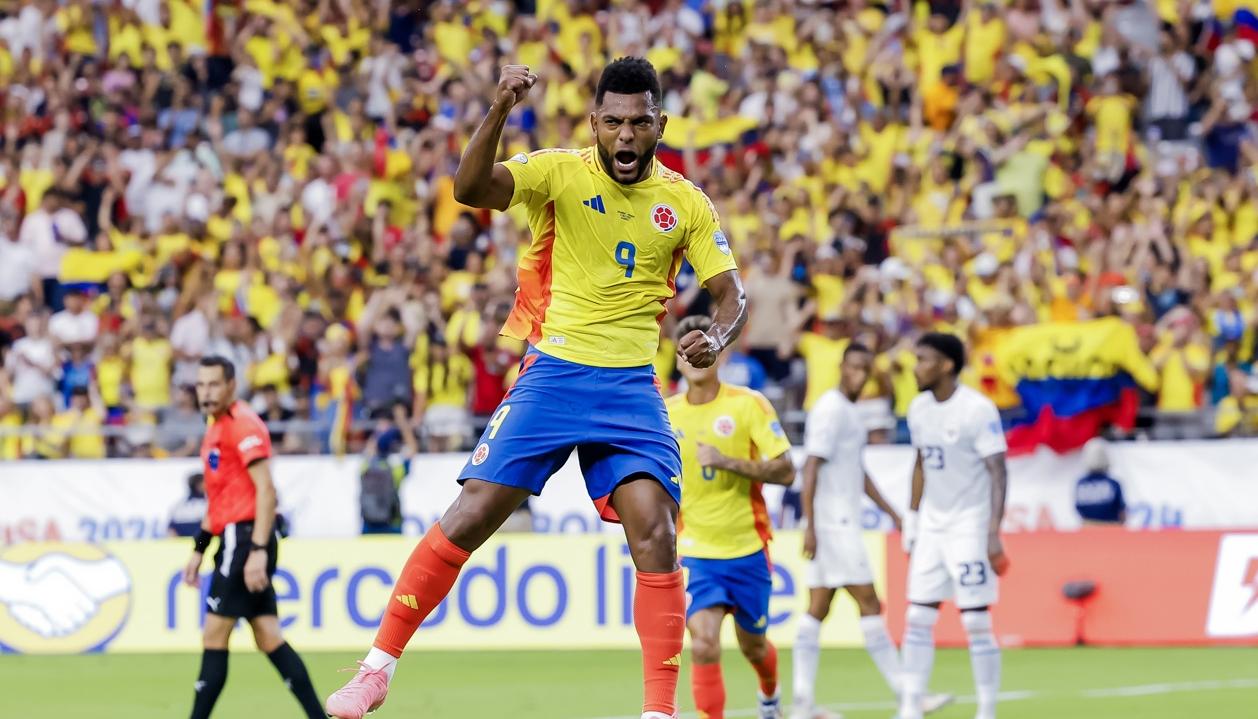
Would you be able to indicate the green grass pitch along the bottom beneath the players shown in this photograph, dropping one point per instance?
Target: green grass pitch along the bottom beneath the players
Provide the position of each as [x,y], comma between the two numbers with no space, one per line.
[1038,684]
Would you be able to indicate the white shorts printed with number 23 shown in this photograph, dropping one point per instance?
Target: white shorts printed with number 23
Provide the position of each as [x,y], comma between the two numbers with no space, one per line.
[949,566]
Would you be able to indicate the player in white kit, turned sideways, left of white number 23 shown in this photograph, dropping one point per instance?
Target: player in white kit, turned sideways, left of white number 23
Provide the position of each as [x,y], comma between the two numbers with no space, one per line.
[835,480]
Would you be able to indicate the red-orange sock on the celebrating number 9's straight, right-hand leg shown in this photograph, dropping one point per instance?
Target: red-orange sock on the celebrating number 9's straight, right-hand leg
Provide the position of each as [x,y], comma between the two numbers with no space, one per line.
[660,618]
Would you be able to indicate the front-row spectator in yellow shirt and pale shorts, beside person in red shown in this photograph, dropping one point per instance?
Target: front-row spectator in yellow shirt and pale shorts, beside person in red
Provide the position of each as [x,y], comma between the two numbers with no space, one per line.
[442,398]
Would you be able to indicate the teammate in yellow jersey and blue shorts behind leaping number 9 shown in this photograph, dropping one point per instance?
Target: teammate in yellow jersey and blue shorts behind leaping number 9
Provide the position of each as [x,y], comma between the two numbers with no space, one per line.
[732,444]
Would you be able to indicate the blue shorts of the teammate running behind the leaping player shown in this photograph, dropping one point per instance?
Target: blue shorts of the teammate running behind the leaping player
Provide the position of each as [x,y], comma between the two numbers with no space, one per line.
[743,586]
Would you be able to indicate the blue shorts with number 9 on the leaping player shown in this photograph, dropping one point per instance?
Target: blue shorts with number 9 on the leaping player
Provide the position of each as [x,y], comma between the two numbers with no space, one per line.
[613,417]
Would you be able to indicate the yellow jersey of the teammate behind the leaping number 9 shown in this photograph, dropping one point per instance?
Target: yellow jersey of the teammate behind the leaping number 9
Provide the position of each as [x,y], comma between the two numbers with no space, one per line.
[724,515]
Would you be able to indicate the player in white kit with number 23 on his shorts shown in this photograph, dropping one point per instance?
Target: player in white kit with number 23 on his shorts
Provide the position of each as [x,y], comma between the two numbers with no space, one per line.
[953,529]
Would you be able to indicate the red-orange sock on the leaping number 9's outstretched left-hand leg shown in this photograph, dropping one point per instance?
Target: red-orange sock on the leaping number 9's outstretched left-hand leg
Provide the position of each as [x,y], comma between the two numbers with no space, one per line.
[425,581]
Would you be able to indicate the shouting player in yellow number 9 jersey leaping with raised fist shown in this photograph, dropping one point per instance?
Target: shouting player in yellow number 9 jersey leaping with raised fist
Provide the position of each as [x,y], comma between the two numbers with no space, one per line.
[611,227]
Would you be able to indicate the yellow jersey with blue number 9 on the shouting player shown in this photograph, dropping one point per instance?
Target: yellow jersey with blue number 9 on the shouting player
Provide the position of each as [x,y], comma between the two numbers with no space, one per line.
[604,256]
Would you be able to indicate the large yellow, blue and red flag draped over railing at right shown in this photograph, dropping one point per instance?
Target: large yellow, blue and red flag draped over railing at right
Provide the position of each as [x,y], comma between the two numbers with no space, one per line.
[1075,379]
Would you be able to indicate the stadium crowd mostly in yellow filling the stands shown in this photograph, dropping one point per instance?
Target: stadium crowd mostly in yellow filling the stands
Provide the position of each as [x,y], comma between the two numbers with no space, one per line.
[272,182]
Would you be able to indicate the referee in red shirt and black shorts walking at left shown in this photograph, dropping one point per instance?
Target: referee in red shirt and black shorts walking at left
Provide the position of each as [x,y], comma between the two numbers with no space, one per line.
[242,512]
